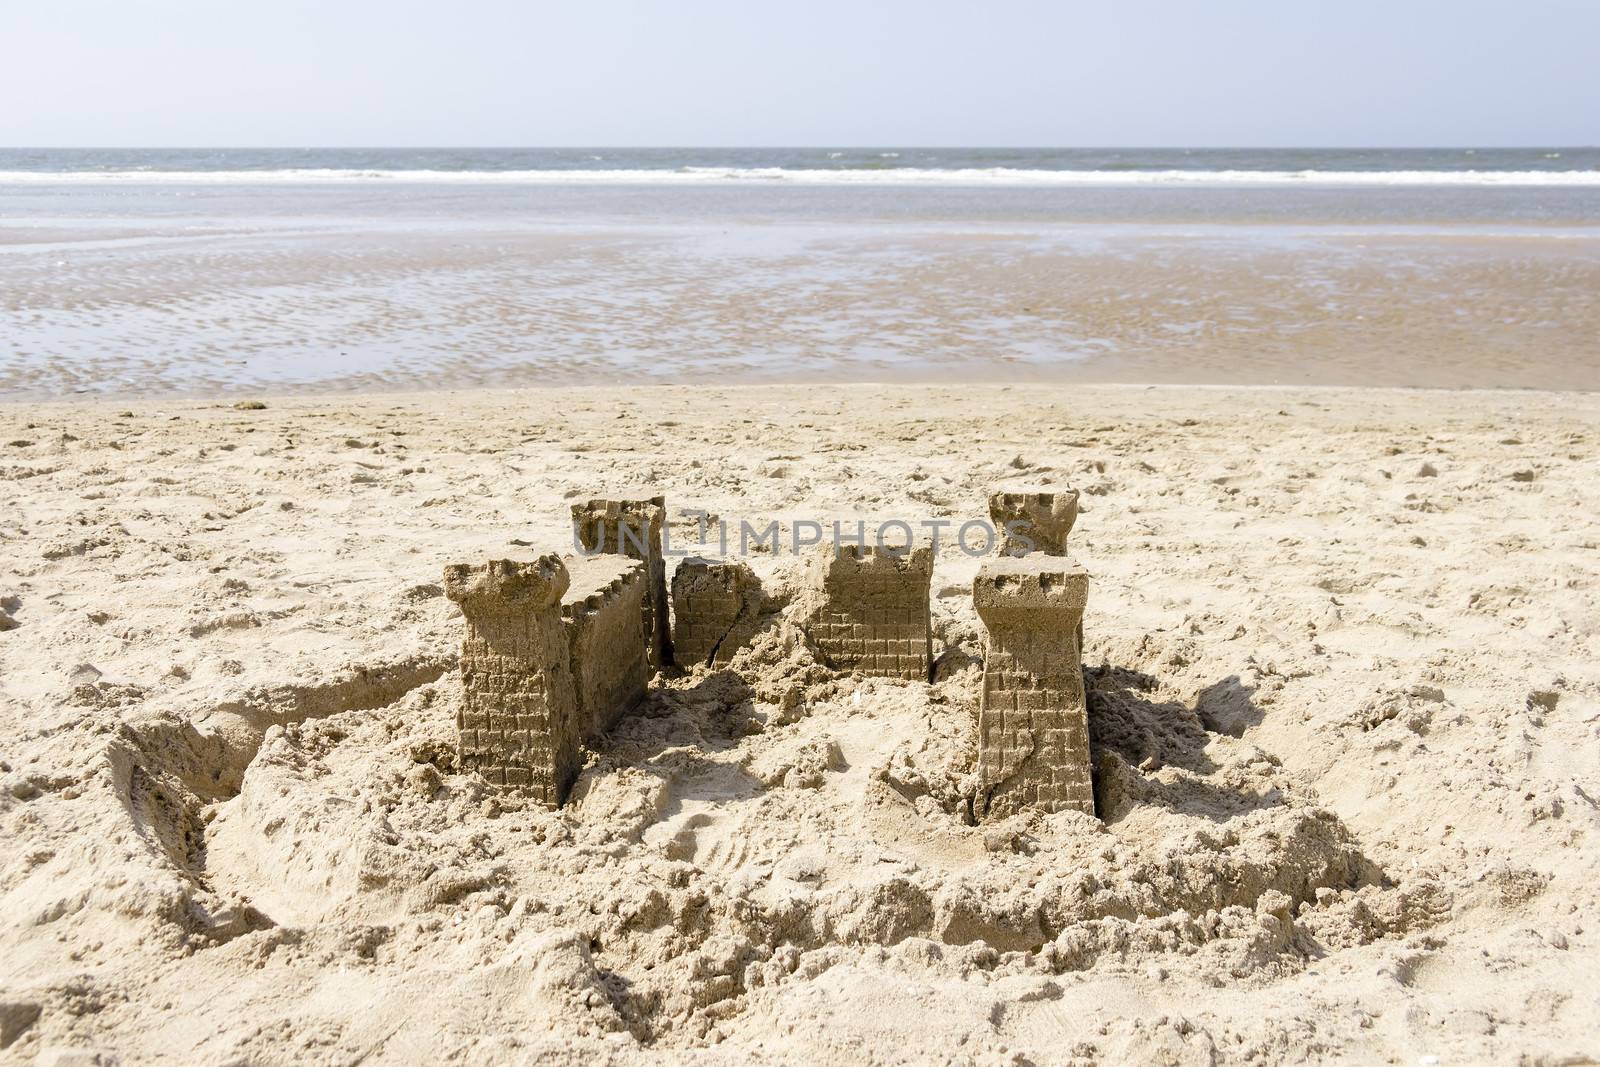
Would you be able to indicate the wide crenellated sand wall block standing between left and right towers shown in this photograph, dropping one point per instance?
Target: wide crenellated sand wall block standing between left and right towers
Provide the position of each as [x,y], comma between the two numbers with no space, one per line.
[870,610]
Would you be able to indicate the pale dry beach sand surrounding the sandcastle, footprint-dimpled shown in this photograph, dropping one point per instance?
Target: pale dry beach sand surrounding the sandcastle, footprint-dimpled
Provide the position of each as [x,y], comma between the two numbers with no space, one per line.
[1345,682]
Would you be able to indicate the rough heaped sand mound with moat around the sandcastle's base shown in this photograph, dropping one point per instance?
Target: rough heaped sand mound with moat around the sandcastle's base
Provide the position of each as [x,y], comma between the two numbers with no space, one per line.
[729,839]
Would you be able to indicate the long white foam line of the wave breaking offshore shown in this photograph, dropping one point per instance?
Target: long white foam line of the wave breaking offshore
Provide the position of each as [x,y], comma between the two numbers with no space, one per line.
[777,175]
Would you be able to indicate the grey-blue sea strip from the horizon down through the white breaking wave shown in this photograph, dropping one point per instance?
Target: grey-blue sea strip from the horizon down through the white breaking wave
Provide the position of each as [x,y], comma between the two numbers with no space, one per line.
[1540,166]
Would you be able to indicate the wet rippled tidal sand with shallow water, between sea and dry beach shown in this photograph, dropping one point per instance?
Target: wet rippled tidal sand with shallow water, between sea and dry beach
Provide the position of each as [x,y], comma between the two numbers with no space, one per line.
[206,305]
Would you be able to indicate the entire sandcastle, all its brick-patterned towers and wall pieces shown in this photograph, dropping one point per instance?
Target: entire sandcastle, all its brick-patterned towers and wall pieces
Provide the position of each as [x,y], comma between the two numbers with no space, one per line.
[558,650]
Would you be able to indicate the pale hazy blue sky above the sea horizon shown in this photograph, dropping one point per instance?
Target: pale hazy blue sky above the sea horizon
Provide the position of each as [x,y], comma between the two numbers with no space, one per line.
[815,73]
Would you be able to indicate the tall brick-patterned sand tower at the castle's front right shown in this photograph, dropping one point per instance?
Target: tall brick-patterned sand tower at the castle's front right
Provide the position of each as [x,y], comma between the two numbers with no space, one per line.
[1033,721]
